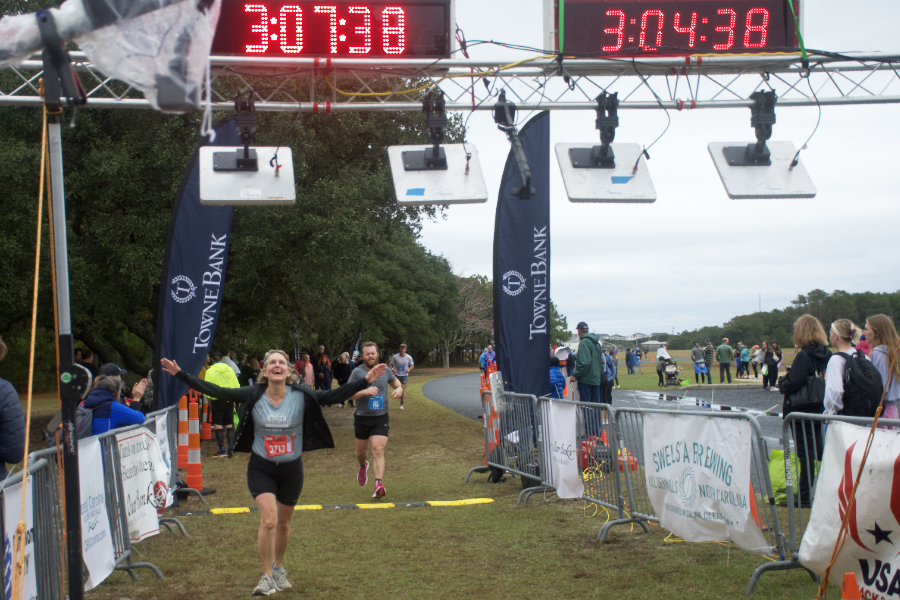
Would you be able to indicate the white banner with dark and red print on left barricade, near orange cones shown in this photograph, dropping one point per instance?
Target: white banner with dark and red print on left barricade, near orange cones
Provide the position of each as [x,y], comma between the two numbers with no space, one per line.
[145,482]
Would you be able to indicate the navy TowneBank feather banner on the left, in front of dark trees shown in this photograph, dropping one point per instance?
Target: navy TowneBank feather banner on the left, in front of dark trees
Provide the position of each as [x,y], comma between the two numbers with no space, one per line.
[193,277]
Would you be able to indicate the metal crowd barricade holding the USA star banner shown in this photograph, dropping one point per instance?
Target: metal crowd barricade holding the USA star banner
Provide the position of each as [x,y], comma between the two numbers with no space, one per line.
[803,434]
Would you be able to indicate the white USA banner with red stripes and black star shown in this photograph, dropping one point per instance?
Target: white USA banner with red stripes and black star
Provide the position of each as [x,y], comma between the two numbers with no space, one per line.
[869,551]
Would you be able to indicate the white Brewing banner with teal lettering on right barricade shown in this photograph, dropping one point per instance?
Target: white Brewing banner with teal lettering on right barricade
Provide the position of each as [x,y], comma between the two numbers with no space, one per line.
[698,478]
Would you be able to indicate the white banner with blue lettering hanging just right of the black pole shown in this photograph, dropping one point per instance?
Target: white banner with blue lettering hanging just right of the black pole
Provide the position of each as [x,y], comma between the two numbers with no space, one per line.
[96,538]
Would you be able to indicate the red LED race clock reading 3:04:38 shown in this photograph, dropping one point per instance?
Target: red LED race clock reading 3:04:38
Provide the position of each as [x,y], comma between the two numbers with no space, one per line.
[676,27]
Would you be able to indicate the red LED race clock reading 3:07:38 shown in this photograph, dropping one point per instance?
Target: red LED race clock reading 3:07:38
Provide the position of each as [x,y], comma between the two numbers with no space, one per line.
[334,28]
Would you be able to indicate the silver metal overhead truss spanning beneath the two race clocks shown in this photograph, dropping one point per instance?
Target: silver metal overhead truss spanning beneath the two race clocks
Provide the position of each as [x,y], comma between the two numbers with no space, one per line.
[539,83]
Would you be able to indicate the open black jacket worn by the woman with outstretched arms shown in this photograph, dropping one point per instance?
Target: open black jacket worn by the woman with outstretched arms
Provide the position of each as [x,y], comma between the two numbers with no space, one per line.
[316,434]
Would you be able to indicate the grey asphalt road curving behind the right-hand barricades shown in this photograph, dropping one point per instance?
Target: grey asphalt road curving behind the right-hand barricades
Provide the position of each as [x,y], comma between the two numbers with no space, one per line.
[460,393]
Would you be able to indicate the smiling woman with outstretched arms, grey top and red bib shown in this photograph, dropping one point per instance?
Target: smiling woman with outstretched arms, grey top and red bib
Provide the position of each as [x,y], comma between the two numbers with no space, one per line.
[280,418]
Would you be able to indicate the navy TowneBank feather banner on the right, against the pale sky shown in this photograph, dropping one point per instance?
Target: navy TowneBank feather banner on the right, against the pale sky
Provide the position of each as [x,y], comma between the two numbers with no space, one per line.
[522,267]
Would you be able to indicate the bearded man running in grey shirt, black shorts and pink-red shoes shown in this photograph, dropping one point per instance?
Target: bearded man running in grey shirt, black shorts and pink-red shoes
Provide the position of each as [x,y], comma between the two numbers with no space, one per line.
[370,420]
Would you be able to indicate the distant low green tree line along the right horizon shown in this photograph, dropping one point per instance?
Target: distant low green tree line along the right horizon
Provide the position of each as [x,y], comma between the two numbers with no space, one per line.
[778,324]
